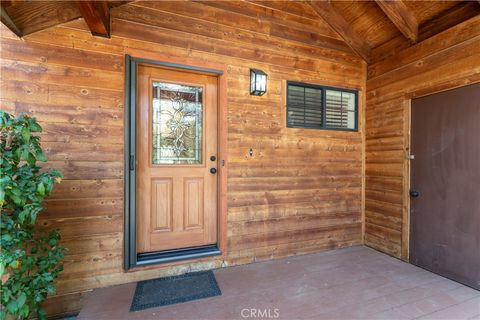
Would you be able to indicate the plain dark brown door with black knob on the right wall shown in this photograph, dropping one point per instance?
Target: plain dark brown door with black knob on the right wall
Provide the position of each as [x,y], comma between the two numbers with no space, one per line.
[445,215]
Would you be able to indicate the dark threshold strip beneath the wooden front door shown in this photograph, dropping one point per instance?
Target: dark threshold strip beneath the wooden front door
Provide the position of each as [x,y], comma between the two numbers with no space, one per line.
[167,256]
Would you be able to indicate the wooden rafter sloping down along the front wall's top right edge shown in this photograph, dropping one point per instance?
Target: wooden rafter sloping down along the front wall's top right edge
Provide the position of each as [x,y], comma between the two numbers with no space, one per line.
[338,23]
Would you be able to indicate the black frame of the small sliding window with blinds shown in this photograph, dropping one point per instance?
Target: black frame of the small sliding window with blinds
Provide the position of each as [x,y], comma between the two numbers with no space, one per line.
[324,103]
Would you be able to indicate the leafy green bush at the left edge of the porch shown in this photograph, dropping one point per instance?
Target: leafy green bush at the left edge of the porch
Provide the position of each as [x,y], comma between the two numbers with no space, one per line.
[30,259]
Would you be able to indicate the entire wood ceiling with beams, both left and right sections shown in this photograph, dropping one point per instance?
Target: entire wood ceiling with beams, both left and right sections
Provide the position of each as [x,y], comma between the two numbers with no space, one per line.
[373,29]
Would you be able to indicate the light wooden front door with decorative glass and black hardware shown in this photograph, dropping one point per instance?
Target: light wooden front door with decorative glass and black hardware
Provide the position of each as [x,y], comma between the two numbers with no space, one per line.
[176,146]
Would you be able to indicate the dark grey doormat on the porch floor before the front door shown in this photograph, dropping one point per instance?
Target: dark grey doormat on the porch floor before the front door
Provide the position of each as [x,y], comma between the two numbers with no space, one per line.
[176,289]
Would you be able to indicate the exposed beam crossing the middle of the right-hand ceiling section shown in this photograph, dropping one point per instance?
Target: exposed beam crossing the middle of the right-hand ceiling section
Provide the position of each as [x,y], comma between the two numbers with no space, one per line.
[401,17]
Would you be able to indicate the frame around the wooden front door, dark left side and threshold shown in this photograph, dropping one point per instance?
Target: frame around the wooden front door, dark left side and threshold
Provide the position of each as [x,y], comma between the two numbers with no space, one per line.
[131,257]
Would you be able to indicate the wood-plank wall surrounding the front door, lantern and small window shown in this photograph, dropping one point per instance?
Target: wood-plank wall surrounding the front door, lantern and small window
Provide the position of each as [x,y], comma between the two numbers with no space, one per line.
[302,190]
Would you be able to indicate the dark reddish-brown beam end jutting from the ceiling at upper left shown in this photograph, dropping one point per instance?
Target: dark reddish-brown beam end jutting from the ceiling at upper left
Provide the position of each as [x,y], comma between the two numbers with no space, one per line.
[97,16]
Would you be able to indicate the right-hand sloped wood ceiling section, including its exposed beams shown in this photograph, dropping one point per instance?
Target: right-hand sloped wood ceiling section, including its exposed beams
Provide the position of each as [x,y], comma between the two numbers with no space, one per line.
[388,27]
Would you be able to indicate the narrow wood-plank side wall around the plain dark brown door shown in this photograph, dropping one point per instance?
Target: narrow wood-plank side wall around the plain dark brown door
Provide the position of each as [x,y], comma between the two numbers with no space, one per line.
[445,61]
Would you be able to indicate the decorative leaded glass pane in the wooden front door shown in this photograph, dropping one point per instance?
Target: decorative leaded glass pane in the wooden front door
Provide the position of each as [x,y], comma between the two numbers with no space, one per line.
[177,124]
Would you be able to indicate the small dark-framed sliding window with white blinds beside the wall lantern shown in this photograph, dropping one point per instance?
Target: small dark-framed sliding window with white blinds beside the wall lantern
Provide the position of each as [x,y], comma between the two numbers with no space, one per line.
[316,107]
